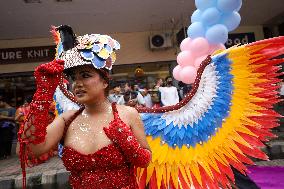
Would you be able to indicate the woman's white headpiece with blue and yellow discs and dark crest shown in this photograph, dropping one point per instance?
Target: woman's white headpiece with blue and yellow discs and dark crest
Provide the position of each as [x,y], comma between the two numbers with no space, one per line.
[94,49]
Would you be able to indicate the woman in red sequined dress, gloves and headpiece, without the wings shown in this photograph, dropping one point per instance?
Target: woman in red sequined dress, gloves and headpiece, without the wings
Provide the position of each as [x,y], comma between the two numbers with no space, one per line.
[103,142]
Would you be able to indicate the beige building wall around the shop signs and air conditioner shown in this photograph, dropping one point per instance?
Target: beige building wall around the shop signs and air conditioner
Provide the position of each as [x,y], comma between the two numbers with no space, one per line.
[134,48]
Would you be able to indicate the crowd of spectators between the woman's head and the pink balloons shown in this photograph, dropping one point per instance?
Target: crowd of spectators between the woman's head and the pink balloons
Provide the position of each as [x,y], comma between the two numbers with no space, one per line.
[161,93]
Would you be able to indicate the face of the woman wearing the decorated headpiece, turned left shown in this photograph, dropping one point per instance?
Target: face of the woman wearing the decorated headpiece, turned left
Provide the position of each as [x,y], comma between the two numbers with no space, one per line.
[87,85]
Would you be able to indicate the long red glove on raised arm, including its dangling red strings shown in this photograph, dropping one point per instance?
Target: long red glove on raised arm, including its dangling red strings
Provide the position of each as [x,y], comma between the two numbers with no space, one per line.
[33,130]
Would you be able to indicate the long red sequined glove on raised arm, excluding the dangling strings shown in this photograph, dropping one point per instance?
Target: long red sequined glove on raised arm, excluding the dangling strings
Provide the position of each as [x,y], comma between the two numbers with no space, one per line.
[47,79]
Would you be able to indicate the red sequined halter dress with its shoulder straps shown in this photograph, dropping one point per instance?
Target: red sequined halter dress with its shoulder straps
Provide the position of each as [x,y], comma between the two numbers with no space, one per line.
[107,168]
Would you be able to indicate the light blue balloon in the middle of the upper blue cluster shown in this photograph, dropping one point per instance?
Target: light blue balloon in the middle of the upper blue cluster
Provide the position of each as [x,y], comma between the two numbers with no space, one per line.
[210,16]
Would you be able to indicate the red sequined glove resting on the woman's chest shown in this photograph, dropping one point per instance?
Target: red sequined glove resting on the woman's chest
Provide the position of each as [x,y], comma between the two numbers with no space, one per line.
[122,135]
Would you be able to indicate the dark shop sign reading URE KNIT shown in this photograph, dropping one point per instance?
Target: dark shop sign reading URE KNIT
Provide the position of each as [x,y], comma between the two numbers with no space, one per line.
[27,54]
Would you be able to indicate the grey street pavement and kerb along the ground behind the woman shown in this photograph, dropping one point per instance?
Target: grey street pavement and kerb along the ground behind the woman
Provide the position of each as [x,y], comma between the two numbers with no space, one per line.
[53,171]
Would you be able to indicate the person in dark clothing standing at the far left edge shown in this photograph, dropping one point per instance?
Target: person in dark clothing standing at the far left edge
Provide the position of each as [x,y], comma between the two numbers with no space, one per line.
[7,128]
